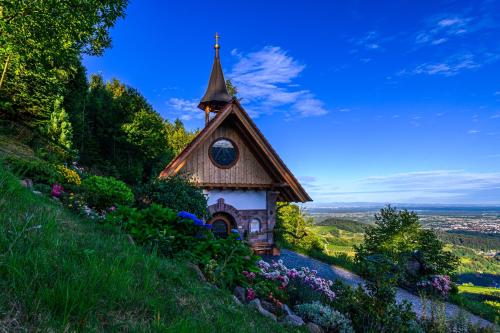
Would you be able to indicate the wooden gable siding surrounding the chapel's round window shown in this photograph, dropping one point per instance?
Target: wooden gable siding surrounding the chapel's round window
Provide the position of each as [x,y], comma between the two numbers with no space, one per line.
[247,169]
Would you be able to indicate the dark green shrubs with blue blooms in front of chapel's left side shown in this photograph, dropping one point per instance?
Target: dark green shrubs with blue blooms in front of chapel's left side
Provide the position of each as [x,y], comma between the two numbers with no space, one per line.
[184,235]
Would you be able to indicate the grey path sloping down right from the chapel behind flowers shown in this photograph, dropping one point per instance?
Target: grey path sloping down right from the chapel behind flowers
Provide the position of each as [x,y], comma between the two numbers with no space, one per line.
[293,259]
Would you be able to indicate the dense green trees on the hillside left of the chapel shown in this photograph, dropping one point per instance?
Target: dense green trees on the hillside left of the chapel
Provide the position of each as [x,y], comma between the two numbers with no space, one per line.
[107,126]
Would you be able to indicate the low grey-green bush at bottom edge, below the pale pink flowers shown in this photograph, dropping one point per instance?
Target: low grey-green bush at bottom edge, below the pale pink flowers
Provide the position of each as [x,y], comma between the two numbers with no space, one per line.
[325,316]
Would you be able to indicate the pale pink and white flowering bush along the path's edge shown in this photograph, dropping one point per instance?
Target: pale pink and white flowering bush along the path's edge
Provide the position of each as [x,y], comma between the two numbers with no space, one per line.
[295,280]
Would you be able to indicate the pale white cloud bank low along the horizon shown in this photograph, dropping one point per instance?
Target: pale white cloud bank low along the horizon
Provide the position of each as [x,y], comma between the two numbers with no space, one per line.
[434,186]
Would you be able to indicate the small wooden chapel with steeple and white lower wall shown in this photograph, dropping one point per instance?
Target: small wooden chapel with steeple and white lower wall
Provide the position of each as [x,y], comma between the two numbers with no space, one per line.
[241,174]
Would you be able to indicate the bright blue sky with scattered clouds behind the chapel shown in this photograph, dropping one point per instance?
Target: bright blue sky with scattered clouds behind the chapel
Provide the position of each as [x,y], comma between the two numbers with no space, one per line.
[366,101]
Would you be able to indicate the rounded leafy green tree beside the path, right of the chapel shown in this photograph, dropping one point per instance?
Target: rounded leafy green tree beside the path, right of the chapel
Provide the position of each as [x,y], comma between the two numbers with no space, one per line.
[399,237]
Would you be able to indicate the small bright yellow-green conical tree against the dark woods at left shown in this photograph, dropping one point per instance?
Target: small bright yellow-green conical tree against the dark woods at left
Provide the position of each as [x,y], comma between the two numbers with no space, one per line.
[59,128]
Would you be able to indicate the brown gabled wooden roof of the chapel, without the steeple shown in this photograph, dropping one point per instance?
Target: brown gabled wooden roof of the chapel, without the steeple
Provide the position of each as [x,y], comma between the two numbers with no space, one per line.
[288,186]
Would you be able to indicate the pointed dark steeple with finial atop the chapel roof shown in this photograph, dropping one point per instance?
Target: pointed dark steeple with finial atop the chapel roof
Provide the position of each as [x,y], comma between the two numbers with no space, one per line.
[216,95]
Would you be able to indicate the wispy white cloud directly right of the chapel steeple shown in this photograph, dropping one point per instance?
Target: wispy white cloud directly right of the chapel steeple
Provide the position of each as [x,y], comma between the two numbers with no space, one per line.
[265,81]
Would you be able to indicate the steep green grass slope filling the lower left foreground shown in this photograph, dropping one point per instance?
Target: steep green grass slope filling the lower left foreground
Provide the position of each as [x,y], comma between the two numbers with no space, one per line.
[62,273]
